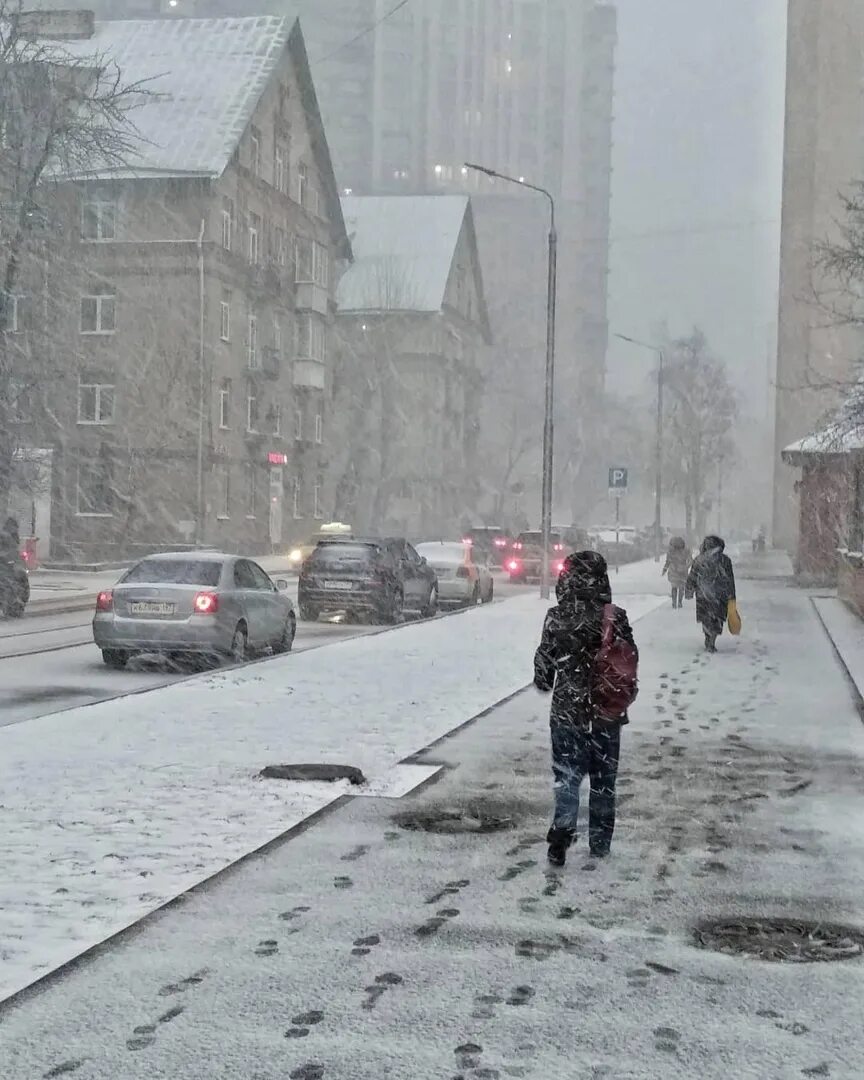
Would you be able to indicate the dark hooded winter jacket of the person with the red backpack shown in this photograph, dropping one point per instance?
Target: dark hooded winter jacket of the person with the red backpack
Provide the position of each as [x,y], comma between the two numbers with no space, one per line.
[572,637]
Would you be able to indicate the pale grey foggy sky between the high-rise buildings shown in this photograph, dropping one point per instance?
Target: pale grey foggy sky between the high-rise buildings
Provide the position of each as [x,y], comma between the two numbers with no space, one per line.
[698,165]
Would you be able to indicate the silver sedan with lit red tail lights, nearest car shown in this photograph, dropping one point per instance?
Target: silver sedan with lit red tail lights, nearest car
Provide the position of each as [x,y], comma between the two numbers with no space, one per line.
[202,603]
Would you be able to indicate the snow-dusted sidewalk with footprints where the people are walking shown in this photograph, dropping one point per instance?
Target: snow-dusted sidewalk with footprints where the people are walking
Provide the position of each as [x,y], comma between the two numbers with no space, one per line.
[361,950]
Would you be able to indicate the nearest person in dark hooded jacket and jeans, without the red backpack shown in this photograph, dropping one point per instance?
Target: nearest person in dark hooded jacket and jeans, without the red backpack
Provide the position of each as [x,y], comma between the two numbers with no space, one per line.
[583,745]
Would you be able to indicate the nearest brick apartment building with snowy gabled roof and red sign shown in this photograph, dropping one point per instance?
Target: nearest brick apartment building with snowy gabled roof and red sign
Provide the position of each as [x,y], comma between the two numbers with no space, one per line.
[184,316]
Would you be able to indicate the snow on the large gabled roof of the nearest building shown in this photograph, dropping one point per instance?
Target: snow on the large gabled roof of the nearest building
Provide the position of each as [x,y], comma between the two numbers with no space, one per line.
[206,76]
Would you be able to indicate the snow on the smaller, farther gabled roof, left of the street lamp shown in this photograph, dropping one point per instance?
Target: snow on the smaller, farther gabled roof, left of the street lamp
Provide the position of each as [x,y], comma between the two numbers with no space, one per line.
[404,248]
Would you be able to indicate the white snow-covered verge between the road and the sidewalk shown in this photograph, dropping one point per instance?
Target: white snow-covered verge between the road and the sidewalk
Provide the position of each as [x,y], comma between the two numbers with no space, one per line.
[111,811]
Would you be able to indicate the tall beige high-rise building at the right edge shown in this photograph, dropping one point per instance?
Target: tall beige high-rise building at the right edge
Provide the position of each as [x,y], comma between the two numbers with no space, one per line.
[825,150]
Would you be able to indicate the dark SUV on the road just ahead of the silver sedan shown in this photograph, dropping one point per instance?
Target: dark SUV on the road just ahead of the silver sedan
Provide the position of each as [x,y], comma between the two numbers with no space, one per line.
[376,578]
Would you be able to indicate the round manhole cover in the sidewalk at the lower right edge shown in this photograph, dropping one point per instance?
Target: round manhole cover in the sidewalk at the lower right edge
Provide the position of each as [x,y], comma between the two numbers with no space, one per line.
[781,941]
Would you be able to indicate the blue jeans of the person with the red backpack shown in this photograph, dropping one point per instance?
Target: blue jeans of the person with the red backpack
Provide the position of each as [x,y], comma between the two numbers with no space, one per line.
[577,754]
